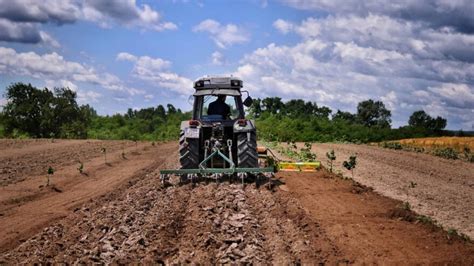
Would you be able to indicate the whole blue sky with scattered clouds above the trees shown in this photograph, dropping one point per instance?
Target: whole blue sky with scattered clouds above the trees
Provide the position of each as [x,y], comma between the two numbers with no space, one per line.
[410,54]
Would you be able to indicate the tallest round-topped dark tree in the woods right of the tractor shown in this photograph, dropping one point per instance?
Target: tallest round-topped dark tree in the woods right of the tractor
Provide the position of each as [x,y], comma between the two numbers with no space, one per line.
[373,113]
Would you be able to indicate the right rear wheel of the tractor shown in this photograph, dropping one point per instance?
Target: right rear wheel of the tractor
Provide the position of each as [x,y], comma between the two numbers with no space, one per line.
[247,150]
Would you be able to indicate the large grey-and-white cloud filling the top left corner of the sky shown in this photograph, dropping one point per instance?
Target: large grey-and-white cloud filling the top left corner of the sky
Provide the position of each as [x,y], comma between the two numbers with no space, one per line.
[20,20]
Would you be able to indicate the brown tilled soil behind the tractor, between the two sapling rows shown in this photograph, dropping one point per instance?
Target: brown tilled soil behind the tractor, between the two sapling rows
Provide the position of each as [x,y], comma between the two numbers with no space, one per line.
[131,217]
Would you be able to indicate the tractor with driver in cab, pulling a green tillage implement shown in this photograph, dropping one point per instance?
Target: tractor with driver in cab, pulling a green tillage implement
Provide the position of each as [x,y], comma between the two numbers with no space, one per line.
[219,140]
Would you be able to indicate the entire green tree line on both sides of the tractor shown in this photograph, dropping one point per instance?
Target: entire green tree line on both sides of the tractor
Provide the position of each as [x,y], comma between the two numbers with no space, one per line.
[44,113]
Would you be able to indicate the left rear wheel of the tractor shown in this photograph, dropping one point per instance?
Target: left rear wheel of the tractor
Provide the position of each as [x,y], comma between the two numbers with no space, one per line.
[188,152]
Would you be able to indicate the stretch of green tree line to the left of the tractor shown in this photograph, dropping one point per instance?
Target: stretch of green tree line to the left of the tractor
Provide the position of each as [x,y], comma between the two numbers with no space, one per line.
[44,113]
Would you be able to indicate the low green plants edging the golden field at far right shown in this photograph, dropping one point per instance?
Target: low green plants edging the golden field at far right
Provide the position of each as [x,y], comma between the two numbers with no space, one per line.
[444,152]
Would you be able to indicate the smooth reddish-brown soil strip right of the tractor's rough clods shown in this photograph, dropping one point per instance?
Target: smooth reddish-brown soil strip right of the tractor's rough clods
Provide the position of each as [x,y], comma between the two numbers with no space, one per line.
[369,228]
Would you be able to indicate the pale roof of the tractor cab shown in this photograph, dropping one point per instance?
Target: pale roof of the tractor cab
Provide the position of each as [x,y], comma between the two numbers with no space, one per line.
[218,85]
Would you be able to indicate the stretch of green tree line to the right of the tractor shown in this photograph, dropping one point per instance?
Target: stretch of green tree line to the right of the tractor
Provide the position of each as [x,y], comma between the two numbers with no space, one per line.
[299,120]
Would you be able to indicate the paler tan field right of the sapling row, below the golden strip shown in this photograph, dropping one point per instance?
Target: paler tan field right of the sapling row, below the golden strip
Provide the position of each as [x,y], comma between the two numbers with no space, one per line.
[443,190]
